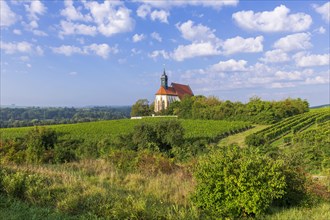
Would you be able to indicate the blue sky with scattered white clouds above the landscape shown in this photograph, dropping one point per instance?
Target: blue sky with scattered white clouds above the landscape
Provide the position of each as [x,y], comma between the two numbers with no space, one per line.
[81,53]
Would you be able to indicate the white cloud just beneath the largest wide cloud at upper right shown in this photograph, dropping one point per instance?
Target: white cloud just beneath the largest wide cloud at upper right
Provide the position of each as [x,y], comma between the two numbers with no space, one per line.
[299,41]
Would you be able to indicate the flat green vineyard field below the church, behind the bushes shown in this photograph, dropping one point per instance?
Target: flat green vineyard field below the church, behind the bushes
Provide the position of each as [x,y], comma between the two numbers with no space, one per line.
[96,131]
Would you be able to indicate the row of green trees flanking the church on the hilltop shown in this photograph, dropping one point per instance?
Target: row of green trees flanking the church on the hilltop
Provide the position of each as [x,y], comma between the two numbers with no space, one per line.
[201,107]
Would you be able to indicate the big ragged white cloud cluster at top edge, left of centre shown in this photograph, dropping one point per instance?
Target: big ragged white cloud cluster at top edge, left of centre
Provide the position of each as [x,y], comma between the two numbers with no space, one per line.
[107,18]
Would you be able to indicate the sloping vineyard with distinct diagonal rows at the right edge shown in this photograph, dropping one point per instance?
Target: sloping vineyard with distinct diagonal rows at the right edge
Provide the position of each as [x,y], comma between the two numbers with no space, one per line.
[289,127]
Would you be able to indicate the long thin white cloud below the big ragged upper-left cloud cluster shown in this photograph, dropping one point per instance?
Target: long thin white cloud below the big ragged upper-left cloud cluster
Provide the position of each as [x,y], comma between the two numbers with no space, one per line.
[102,50]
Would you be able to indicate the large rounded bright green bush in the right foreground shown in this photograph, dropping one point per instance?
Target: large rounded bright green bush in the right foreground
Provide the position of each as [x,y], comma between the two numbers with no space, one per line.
[235,182]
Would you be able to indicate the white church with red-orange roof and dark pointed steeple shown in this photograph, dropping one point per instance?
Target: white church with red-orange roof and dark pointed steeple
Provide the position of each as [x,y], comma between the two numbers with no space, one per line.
[168,94]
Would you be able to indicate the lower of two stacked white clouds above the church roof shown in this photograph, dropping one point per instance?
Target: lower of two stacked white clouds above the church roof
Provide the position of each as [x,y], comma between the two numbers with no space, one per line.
[183,52]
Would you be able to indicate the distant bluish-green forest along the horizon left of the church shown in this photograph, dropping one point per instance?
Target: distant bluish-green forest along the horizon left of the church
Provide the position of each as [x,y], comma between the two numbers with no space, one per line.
[29,116]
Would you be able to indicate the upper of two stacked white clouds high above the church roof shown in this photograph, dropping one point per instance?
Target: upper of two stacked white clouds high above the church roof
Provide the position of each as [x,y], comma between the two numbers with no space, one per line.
[194,33]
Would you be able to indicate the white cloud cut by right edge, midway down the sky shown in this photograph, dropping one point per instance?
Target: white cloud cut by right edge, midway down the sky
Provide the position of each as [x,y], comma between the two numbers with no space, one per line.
[307,60]
